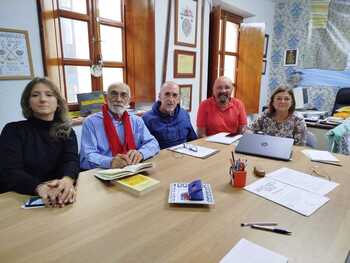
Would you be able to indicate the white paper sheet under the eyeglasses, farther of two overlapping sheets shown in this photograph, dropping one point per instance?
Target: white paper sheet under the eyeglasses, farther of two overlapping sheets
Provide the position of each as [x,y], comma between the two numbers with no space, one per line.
[304,181]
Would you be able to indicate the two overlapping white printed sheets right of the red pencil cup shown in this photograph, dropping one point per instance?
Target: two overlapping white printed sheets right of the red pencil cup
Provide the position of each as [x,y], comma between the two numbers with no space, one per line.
[300,192]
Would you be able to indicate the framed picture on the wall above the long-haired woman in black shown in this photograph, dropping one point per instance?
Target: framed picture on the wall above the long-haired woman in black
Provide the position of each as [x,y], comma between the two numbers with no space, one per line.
[15,57]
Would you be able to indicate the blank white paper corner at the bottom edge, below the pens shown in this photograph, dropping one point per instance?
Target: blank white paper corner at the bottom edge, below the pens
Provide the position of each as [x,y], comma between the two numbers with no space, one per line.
[248,252]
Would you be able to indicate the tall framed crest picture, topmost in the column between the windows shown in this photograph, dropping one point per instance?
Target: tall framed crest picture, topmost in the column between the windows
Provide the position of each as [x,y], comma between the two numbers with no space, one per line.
[186,22]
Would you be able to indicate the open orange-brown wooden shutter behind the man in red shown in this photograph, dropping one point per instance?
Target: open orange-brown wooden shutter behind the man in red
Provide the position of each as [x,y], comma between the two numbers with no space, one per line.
[251,45]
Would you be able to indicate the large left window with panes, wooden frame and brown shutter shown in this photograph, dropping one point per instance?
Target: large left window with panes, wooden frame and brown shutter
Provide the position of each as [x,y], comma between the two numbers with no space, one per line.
[77,34]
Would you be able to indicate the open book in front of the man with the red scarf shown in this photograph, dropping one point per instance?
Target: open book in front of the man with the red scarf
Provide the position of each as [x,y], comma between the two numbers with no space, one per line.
[117,173]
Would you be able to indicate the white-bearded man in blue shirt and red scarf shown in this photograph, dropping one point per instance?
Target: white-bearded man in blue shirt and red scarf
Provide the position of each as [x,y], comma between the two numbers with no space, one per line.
[113,138]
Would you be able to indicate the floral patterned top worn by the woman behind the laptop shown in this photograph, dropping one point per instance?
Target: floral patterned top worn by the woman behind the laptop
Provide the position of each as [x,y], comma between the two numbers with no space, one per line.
[293,127]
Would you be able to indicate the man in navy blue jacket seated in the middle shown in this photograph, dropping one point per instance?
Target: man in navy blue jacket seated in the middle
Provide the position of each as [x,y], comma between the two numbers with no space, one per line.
[167,121]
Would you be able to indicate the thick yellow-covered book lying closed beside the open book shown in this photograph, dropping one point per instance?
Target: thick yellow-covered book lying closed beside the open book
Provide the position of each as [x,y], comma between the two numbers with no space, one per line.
[138,184]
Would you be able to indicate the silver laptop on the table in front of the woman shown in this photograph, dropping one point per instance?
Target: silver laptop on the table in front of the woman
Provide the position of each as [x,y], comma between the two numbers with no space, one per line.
[266,146]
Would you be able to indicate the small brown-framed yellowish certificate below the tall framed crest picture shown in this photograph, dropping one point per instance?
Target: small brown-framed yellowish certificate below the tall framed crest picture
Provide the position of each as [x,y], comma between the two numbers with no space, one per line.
[184,64]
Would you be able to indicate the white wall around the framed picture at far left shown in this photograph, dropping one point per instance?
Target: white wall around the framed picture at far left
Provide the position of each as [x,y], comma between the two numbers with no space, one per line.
[19,14]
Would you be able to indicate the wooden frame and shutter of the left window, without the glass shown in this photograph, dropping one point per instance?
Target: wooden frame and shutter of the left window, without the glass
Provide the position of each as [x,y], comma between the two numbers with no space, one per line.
[137,29]
